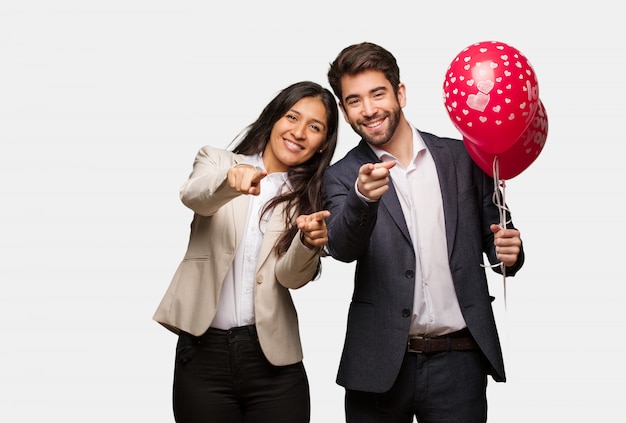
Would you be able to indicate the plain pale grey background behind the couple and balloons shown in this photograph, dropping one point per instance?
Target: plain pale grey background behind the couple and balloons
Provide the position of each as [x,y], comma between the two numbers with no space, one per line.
[103,105]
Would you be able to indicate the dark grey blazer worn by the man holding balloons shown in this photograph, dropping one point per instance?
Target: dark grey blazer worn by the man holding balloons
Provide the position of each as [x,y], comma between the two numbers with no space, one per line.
[376,236]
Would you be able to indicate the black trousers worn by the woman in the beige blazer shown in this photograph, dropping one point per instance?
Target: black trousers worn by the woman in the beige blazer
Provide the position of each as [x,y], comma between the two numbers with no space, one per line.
[223,376]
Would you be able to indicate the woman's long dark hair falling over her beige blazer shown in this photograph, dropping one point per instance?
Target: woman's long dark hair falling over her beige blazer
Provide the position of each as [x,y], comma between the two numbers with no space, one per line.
[306,178]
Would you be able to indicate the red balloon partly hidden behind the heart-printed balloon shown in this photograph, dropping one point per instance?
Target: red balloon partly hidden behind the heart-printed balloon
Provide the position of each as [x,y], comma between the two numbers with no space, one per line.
[520,155]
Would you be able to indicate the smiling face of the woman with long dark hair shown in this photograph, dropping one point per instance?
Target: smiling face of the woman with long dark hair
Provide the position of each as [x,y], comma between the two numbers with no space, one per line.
[297,135]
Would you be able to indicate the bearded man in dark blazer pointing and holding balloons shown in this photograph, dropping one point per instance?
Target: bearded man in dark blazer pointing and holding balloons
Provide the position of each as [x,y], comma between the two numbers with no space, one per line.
[417,215]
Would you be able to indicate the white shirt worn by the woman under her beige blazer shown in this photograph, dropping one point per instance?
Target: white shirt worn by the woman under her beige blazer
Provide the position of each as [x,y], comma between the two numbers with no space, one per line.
[236,304]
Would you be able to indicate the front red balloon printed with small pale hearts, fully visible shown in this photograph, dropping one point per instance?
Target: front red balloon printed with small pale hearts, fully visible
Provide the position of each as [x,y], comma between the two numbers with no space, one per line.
[491,94]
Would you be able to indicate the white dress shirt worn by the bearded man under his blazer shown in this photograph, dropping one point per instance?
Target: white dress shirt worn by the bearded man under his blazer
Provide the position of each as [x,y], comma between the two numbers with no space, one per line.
[436,309]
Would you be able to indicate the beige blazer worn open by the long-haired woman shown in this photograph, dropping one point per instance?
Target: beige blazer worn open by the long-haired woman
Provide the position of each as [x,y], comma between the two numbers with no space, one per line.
[220,213]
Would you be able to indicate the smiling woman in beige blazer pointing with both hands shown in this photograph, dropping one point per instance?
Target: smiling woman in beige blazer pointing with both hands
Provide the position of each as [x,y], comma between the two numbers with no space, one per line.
[258,231]
